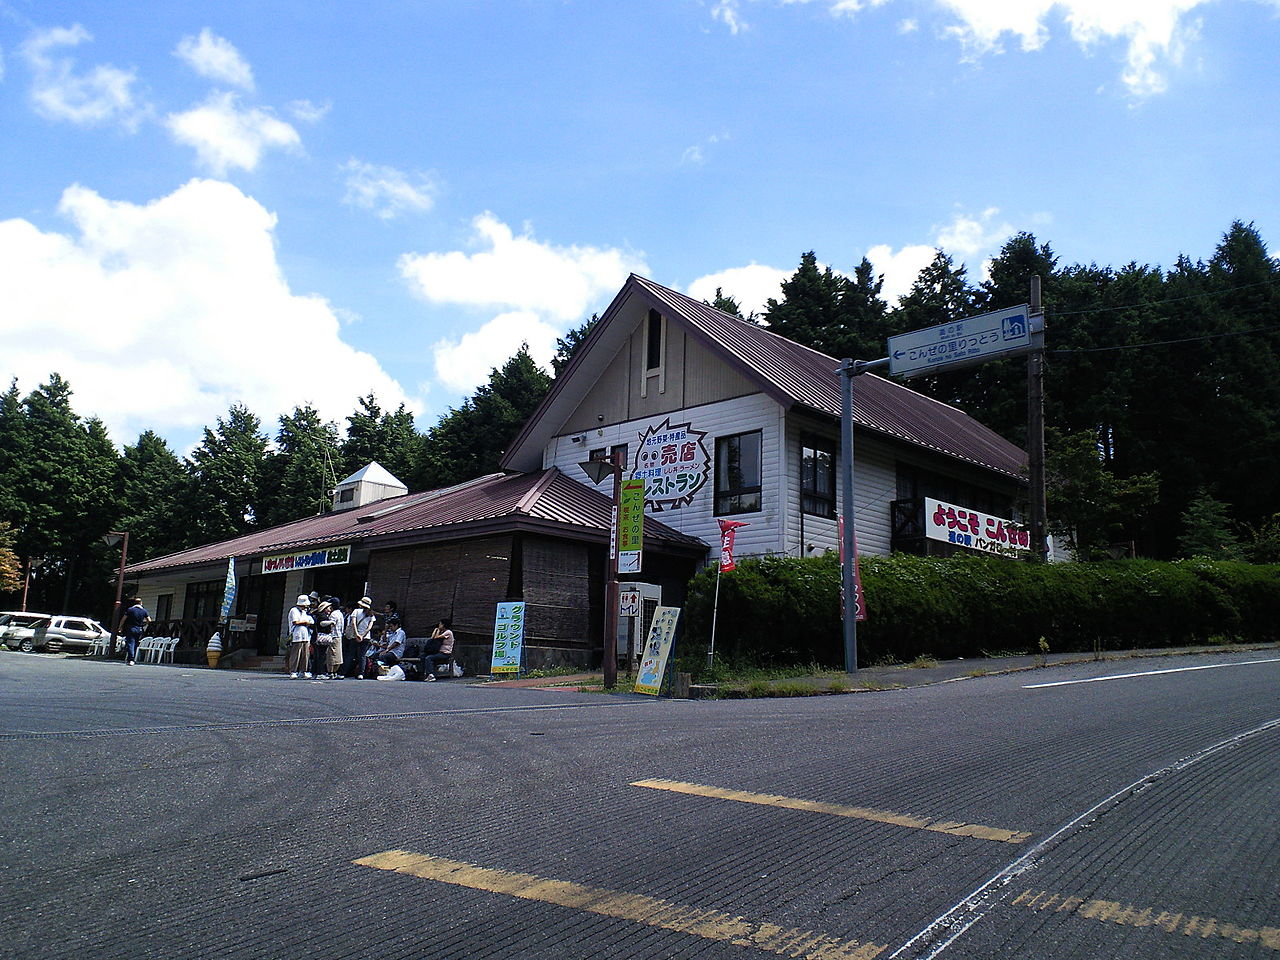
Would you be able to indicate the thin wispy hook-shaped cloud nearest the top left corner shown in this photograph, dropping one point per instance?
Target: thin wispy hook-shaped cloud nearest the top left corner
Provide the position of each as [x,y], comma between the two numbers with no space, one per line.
[102,95]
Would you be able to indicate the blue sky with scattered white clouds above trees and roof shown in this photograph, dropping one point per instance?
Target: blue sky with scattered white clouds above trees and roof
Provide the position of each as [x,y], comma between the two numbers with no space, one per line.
[277,203]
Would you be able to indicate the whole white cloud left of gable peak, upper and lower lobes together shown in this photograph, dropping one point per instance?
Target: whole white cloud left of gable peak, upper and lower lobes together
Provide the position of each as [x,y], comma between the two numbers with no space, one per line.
[538,291]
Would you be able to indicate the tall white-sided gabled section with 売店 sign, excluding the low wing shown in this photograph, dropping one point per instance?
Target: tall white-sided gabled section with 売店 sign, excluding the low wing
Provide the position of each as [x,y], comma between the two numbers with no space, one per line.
[726,419]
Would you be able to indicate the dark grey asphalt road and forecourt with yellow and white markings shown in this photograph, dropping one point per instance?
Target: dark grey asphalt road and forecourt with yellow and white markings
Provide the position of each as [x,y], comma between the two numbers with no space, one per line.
[159,812]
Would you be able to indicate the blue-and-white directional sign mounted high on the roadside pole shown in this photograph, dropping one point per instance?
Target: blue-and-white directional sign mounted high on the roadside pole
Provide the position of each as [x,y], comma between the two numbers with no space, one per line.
[1003,333]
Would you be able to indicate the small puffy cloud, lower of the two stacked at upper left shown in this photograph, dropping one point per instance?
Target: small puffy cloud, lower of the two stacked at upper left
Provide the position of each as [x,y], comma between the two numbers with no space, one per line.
[230,136]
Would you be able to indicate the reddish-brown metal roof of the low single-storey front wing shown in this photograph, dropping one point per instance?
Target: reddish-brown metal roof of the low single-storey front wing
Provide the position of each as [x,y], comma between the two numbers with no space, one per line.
[547,497]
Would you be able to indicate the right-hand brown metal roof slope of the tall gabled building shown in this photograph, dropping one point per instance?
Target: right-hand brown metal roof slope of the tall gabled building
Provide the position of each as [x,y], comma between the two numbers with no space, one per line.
[794,374]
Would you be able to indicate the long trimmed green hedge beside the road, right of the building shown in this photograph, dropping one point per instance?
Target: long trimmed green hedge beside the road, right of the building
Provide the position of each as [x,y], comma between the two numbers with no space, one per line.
[780,610]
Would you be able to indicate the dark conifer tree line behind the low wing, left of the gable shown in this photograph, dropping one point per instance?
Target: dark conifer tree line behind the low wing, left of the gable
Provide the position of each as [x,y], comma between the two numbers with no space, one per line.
[65,486]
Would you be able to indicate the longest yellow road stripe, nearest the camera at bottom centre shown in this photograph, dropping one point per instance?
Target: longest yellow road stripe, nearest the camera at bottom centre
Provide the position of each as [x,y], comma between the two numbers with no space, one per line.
[710,925]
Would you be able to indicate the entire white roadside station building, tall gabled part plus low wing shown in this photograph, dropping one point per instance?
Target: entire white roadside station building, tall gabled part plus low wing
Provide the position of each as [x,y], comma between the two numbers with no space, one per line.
[723,419]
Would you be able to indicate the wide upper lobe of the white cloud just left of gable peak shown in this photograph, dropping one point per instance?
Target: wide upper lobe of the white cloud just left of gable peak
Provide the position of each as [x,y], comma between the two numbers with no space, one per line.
[519,273]
